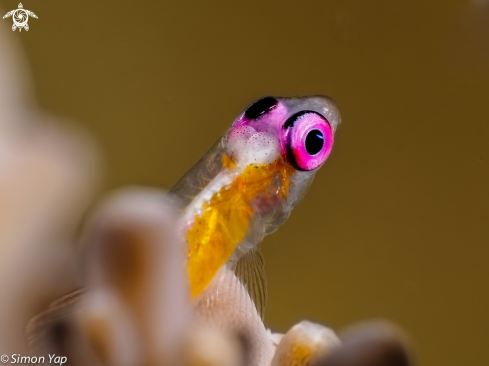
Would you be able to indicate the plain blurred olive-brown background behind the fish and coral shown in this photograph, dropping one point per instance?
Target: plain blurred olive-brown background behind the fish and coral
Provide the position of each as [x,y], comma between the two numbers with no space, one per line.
[396,223]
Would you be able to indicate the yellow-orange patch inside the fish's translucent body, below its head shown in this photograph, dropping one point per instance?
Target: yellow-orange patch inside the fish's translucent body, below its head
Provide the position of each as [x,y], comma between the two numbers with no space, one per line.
[226,217]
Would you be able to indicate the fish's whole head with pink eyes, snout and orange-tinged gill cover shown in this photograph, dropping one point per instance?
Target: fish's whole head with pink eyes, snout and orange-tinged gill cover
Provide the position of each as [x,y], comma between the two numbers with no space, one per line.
[287,138]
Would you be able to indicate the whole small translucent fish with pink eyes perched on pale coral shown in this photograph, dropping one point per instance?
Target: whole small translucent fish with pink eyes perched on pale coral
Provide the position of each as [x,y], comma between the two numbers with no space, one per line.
[247,184]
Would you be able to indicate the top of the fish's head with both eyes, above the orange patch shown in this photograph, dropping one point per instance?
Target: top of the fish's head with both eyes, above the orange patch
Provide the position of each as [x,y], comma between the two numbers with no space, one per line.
[298,130]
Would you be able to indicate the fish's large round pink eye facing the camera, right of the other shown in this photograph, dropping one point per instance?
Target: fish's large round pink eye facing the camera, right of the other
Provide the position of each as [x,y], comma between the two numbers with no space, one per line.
[309,139]
